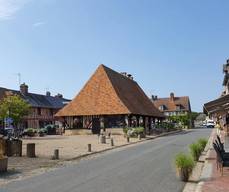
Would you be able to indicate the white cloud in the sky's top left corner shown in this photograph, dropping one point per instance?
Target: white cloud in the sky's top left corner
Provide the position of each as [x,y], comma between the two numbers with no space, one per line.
[9,7]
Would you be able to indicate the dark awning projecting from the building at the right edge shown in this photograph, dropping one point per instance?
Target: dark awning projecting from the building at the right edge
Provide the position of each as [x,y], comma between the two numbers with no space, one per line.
[218,105]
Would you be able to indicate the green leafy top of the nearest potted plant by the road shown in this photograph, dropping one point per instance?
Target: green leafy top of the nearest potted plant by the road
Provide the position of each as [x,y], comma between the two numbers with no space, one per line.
[184,161]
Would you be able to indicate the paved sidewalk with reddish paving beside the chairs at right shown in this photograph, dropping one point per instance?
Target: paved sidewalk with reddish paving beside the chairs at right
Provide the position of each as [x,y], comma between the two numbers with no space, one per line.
[207,177]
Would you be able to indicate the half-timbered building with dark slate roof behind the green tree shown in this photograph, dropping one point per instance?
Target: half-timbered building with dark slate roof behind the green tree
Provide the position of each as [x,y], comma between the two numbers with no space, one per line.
[43,107]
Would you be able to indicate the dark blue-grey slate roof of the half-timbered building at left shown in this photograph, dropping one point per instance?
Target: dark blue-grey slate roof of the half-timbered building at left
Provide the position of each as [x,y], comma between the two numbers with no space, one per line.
[36,100]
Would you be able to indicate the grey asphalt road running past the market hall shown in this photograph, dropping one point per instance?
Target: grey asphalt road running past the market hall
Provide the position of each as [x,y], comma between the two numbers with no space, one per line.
[146,167]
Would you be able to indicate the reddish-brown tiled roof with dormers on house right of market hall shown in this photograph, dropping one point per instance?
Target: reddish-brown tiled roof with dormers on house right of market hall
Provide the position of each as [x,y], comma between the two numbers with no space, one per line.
[171,105]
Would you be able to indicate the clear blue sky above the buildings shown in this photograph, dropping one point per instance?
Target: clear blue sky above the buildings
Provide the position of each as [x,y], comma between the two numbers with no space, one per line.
[168,45]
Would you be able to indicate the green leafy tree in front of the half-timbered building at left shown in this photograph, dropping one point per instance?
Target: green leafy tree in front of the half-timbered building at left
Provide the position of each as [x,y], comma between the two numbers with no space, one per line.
[14,107]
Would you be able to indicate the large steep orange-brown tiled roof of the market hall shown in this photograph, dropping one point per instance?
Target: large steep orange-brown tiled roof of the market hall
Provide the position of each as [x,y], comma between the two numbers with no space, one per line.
[110,93]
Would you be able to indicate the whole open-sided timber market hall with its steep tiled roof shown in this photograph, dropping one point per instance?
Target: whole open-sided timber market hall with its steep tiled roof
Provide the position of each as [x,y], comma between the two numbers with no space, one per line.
[109,99]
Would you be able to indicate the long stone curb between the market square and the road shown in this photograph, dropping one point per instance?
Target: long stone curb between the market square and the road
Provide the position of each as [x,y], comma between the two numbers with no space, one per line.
[120,146]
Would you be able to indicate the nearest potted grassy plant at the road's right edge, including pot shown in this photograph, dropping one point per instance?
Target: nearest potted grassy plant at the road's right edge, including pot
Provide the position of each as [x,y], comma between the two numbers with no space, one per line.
[184,165]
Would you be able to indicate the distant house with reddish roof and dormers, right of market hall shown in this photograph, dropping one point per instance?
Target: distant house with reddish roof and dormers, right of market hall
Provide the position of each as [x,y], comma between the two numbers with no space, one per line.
[172,105]
